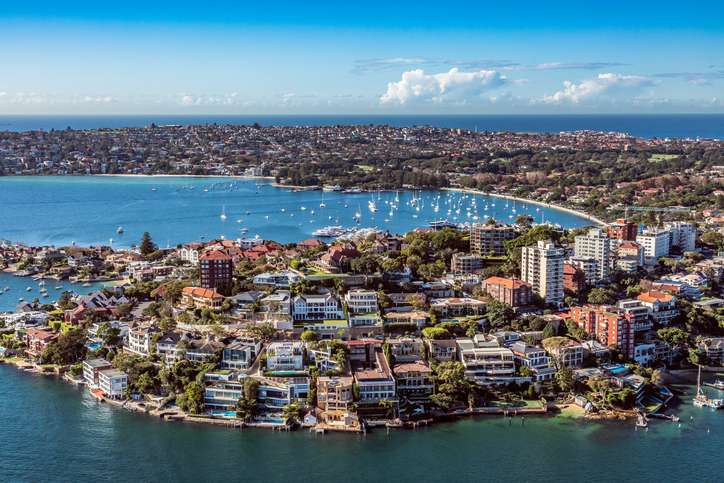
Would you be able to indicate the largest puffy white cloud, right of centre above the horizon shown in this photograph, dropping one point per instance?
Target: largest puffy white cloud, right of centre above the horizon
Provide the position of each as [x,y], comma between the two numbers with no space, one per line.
[452,86]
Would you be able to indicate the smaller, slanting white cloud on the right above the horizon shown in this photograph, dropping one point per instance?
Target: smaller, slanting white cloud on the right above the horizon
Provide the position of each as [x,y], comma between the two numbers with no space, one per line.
[603,84]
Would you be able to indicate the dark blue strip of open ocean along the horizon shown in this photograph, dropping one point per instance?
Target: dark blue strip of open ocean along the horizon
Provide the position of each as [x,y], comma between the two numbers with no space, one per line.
[641,125]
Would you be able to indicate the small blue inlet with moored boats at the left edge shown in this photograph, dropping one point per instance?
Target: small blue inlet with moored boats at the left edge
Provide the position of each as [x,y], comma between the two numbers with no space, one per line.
[18,289]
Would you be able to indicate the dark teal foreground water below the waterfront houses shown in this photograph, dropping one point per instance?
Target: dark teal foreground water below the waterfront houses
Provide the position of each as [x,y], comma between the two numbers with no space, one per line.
[50,431]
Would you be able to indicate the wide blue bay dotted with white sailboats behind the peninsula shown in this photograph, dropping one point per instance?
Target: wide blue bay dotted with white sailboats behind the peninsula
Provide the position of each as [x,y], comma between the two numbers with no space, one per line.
[88,210]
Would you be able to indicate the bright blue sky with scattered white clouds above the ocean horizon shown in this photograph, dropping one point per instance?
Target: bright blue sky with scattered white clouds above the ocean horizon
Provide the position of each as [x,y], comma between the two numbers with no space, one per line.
[394,57]
